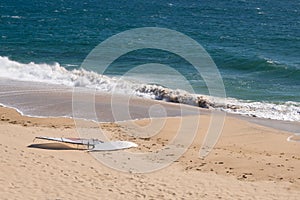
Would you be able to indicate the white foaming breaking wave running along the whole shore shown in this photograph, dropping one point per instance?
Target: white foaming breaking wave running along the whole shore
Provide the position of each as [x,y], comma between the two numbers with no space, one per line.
[56,74]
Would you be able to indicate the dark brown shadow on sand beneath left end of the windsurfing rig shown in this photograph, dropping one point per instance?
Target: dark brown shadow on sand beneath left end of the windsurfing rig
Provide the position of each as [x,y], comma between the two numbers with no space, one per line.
[56,146]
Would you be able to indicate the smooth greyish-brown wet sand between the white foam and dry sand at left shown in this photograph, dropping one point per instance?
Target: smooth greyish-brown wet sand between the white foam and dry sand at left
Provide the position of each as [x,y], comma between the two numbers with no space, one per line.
[48,100]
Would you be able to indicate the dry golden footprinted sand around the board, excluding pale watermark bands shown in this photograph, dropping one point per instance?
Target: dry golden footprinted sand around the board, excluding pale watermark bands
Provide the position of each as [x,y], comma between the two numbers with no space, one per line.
[248,162]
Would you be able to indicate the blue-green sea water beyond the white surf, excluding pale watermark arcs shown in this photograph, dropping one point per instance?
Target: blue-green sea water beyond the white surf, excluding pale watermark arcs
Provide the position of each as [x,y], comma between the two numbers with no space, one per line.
[254,43]
